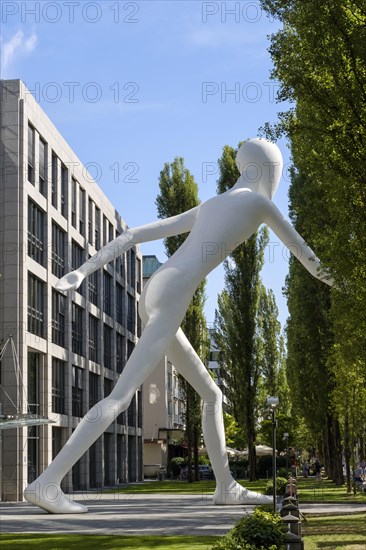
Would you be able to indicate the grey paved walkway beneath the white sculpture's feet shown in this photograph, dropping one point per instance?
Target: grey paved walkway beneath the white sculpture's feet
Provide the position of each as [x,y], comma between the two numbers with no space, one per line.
[129,514]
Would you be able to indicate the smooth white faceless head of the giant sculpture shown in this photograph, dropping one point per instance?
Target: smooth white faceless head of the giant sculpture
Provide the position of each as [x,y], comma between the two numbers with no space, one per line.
[260,165]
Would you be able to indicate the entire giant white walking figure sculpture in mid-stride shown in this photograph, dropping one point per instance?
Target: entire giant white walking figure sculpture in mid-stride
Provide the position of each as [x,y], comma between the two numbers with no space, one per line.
[215,228]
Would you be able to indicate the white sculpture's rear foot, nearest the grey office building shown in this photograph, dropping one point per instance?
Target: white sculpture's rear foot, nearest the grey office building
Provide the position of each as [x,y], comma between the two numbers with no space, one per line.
[51,498]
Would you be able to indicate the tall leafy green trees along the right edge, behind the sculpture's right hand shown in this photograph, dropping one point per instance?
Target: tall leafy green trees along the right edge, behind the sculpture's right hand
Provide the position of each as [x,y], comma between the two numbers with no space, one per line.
[320,61]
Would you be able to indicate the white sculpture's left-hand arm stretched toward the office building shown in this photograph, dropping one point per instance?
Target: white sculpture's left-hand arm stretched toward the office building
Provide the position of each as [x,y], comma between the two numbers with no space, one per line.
[160,229]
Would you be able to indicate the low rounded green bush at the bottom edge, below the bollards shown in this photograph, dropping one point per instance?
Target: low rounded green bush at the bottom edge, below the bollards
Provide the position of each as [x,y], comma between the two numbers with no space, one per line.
[261,530]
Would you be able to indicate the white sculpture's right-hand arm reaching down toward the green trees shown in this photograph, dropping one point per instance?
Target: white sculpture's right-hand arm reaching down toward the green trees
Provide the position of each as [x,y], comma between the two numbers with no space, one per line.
[295,243]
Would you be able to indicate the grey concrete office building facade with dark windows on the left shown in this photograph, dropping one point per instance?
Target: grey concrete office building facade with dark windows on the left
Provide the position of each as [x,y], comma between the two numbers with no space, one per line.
[71,346]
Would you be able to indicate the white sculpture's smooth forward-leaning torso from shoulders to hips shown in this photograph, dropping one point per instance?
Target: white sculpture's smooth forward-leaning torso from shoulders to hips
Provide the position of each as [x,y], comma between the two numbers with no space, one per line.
[222,223]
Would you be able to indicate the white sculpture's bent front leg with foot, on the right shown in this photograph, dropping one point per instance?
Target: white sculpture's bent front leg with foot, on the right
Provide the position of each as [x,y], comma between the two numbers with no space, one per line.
[187,362]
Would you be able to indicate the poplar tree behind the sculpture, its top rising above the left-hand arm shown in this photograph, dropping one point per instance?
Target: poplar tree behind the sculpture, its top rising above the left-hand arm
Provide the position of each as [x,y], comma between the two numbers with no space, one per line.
[179,193]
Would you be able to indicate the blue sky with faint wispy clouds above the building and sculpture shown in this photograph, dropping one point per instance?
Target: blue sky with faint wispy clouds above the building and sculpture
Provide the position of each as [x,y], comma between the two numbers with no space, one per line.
[131,85]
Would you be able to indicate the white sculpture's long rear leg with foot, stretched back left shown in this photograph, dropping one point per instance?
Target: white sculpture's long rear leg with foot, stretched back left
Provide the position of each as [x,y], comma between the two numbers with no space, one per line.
[45,491]
